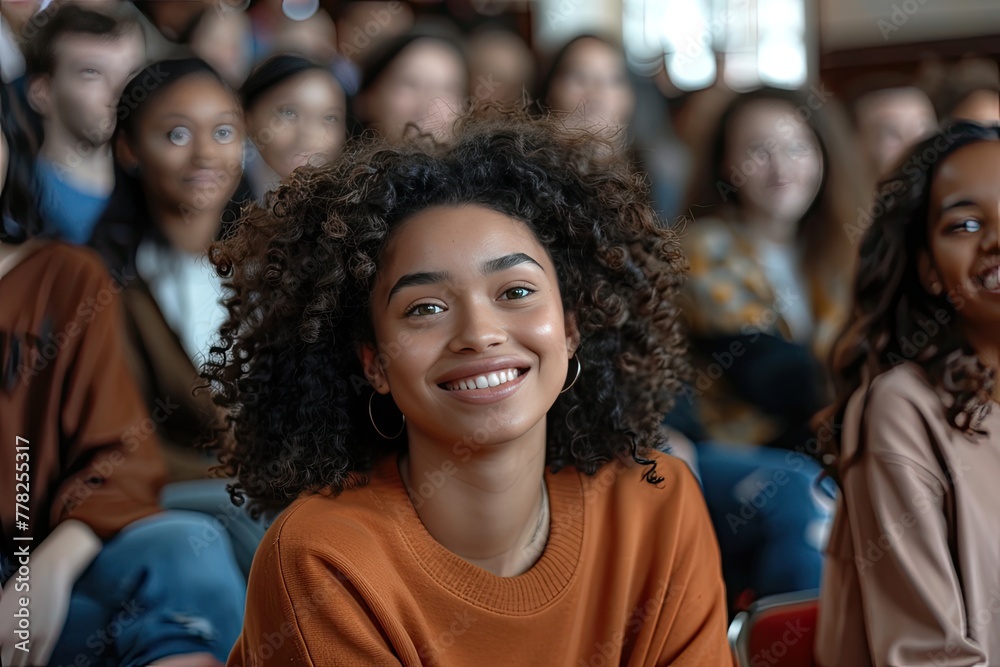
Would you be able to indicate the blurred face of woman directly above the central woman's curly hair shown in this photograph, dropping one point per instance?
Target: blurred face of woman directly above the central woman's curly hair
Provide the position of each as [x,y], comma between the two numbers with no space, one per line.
[424,85]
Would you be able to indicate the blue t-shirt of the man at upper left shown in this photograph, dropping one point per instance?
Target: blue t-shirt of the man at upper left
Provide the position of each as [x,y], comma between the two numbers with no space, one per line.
[71,212]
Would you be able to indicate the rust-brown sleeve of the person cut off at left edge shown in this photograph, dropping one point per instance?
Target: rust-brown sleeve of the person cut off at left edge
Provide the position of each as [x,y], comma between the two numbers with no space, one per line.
[112,468]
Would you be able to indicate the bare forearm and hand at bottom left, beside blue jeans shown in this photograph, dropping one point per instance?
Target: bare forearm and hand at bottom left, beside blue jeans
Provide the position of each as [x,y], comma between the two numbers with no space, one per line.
[53,568]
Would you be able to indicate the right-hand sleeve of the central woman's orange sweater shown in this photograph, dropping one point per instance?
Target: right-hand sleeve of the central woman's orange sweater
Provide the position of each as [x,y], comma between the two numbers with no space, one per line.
[692,623]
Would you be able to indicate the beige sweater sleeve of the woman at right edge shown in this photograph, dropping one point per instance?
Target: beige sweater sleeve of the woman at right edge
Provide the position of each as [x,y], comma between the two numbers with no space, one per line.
[911,593]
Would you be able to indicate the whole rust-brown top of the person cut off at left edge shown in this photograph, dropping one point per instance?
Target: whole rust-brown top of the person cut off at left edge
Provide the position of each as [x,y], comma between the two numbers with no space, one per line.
[67,393]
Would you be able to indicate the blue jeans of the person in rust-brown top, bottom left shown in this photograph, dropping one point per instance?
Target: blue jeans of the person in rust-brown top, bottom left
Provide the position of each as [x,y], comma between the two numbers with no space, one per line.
[165,585]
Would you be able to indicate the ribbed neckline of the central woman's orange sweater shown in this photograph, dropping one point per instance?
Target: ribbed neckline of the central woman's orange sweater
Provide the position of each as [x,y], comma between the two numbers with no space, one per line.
[525,593]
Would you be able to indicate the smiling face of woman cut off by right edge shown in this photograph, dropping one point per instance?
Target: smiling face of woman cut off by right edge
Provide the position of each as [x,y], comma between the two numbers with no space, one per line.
[964,234]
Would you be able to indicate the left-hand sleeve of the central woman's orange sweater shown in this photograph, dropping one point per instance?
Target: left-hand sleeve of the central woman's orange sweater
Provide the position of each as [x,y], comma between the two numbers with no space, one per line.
[302,610]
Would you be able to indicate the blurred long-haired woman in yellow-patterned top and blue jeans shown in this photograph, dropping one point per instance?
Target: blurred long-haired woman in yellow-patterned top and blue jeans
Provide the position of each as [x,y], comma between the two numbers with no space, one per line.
[770,267]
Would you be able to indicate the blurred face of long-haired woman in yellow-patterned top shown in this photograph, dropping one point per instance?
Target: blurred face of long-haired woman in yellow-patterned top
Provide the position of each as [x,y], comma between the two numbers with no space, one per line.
[778,160]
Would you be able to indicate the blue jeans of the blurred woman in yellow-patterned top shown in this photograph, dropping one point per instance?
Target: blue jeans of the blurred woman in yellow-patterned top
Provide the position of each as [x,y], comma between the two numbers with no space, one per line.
[770,516]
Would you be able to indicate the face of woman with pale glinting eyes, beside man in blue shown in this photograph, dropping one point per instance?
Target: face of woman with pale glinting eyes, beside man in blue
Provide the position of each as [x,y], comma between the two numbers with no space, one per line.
[189,148]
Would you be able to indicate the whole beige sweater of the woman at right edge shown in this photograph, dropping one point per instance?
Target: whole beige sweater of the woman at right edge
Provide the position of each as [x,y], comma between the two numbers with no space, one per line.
[913,570]
